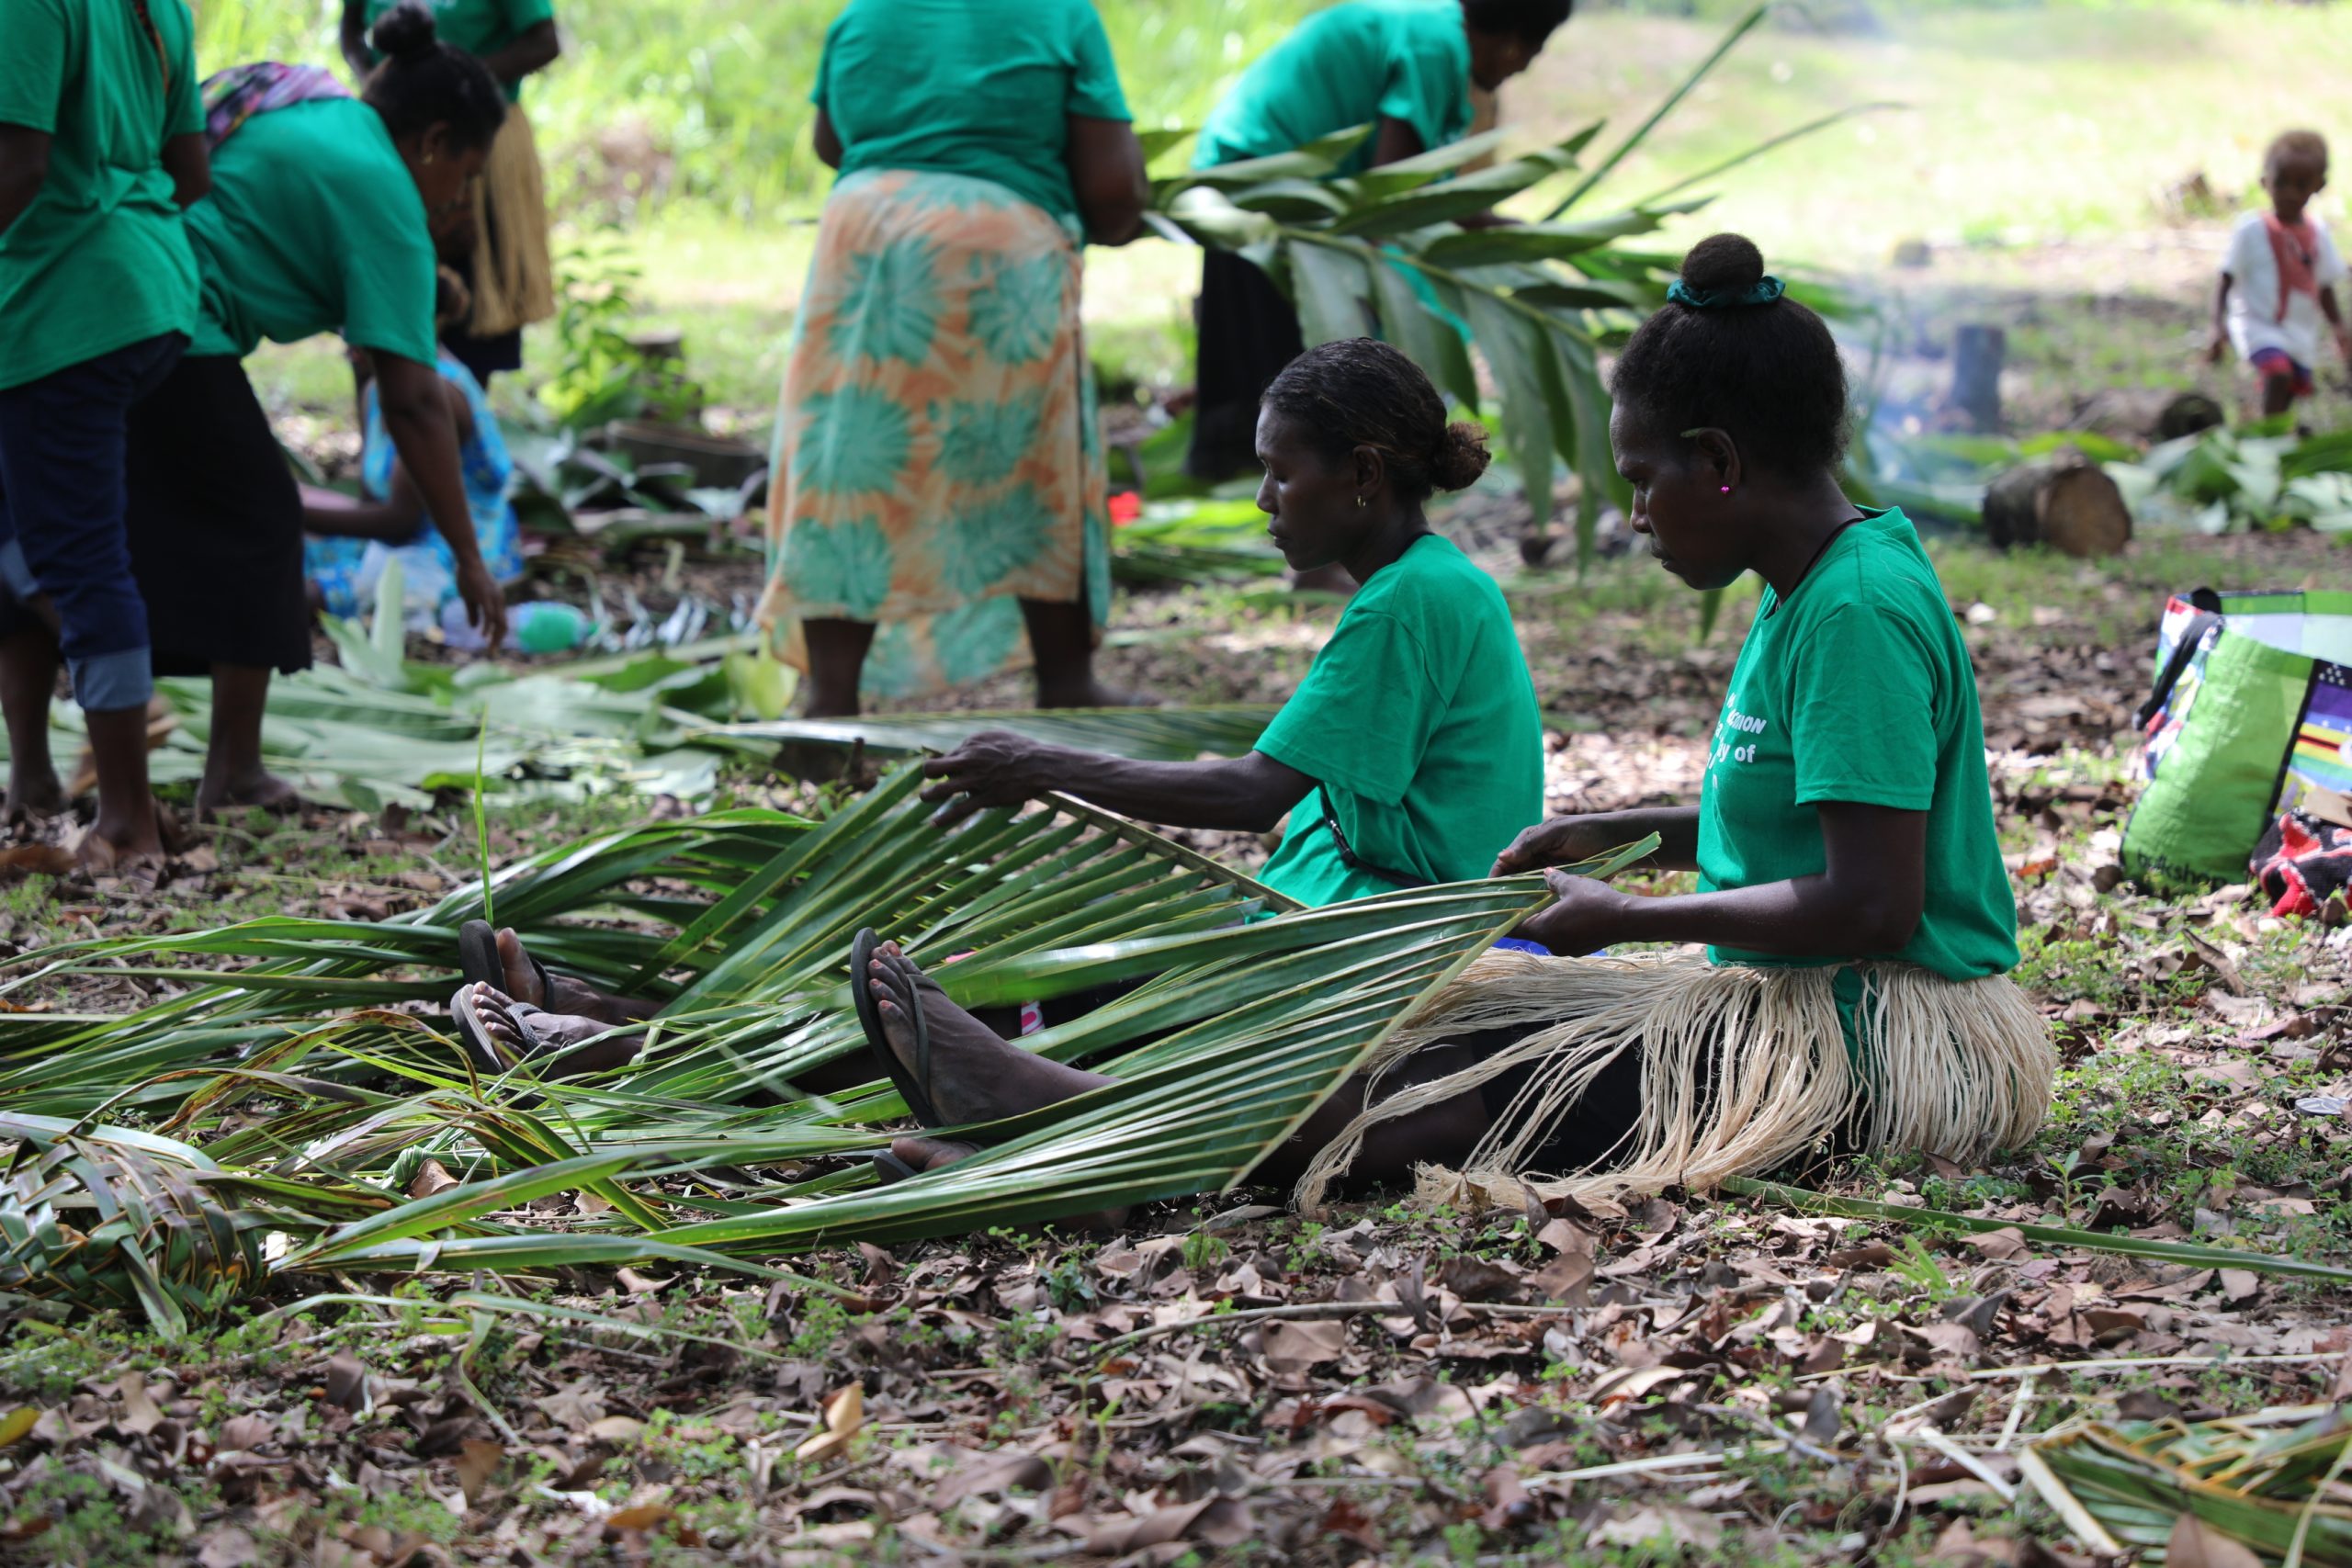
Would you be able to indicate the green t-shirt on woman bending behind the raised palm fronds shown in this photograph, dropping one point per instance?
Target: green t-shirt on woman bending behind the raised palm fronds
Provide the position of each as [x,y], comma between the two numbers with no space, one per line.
[1356,65]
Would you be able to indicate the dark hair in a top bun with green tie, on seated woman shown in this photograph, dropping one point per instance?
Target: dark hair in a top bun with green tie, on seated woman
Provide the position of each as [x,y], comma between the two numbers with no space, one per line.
[1770,375]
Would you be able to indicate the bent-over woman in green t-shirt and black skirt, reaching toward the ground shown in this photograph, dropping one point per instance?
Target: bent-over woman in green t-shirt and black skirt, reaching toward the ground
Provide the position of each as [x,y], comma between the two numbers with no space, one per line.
[321,220]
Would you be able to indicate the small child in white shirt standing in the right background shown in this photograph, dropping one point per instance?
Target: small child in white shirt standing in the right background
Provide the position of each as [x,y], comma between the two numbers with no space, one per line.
[2280,276]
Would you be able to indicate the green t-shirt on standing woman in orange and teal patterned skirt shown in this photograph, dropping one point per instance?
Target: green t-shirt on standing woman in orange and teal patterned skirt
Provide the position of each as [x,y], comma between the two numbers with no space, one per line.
[982,88]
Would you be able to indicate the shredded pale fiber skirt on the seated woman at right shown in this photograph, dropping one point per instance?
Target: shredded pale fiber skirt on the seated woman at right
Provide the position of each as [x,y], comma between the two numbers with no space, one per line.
[1742,1071]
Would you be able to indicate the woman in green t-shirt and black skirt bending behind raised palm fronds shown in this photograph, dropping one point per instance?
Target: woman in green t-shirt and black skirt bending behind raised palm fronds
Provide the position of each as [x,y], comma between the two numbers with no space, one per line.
[1401,67]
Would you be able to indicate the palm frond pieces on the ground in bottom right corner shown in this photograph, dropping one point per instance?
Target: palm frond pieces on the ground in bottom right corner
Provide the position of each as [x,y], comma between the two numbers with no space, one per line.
[2273,1480]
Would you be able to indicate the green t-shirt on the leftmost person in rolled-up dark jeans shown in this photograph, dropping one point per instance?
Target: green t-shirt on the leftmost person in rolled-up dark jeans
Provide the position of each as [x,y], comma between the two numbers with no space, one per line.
[100,260]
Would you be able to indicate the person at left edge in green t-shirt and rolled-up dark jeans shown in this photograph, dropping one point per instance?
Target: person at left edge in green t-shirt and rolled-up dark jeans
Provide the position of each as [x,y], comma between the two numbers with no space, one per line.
[100,152]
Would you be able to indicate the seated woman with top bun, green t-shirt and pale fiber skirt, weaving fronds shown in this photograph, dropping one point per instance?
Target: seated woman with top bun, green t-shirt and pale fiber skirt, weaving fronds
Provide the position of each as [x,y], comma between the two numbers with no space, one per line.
[1852,887]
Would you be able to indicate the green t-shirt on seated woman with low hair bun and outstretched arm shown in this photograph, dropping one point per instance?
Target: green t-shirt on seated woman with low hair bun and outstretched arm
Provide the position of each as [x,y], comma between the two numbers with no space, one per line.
[1422,730]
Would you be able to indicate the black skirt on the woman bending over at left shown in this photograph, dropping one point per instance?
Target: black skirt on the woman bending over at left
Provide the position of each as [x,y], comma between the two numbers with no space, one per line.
[215,525]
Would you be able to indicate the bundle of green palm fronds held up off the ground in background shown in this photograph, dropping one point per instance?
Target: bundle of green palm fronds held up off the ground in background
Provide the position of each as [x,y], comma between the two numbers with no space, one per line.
[1384,253]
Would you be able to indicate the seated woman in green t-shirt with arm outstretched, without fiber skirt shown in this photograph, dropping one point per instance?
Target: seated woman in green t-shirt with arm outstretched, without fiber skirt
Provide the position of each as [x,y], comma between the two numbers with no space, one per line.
[1415,746]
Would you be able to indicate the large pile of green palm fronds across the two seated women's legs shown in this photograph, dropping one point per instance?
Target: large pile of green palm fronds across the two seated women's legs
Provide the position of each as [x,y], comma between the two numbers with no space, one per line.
[298,1073]
